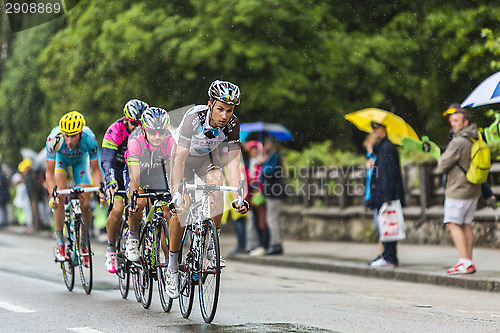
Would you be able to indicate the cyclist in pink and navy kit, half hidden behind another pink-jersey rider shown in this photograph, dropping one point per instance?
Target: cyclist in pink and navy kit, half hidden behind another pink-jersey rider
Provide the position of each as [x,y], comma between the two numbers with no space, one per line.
[114,147]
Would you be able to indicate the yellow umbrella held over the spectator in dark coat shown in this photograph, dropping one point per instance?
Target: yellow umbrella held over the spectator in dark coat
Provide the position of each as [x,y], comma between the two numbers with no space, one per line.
[395,126]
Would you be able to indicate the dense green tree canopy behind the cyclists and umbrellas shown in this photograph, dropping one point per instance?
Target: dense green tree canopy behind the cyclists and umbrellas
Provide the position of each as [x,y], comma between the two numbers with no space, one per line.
[304,64]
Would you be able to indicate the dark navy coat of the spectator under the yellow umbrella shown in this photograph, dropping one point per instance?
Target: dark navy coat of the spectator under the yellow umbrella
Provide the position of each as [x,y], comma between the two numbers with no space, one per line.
[387,179]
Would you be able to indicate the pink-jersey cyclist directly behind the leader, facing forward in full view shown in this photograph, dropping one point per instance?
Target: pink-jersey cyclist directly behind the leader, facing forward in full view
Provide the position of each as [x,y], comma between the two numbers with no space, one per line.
[148,159]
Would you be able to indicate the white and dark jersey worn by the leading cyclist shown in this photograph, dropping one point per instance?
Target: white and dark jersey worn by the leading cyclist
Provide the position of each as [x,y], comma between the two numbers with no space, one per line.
[196,134]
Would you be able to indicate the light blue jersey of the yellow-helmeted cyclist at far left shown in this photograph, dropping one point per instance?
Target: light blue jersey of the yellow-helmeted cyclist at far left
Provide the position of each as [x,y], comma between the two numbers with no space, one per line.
[87,146]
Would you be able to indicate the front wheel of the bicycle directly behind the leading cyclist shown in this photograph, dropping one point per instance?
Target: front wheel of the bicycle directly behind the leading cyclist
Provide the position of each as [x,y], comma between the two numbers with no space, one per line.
[161,266]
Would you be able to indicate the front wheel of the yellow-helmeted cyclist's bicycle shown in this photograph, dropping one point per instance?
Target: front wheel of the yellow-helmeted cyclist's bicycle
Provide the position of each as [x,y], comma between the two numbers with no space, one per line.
[82,237]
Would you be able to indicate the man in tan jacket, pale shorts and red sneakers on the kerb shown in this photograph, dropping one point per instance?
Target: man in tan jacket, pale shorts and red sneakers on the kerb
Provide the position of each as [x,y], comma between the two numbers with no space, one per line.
[461,196]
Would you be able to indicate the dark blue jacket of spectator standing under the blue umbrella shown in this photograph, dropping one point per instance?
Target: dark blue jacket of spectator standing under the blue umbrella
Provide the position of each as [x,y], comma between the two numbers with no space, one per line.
[272,177]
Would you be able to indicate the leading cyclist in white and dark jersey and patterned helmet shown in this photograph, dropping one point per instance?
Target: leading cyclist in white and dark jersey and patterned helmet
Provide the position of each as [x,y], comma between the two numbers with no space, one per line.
[202,130]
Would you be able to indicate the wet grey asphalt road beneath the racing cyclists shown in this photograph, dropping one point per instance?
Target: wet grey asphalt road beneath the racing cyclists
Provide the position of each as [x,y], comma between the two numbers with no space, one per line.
[253,299]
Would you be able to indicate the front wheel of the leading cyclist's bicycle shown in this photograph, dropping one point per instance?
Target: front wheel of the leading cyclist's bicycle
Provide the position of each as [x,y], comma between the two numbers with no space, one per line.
[209,281]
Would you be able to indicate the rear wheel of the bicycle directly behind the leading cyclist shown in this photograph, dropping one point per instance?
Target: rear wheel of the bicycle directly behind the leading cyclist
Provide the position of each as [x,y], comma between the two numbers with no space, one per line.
[145,276]
